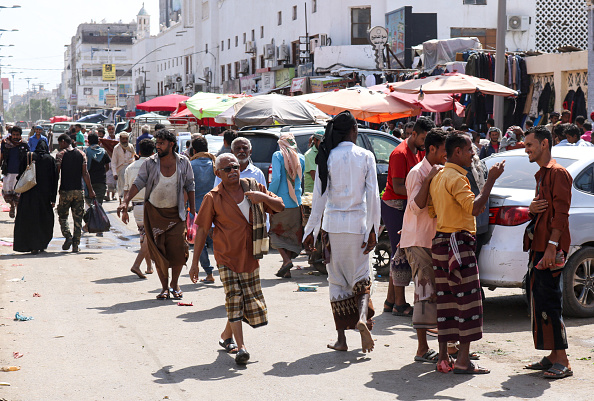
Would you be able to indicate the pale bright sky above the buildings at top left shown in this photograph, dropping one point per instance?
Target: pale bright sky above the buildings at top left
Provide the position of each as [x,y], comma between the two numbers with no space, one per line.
[46,26]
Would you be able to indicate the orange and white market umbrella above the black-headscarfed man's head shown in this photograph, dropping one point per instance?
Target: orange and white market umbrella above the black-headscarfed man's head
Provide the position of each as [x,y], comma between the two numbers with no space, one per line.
[364,104]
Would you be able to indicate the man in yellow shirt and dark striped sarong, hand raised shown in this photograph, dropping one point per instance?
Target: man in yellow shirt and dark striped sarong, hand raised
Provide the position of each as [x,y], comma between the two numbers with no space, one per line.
[459,303]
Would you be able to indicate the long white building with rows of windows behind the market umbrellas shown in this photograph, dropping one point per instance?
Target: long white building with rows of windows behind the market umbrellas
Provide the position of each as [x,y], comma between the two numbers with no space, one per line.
[256,46]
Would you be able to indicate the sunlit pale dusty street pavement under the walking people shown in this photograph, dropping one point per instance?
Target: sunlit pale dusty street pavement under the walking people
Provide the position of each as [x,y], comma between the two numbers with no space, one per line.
[98,333]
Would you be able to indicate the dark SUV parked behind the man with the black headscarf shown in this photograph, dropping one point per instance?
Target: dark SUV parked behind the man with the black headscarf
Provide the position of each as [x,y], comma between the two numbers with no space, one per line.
[264,144]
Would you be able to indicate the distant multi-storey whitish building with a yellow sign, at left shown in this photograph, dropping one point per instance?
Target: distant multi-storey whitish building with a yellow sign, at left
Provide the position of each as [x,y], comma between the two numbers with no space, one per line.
[86,82]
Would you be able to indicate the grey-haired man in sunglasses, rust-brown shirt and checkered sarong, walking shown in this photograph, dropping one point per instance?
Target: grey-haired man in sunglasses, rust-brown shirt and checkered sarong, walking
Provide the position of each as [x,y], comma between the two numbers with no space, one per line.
[237,209]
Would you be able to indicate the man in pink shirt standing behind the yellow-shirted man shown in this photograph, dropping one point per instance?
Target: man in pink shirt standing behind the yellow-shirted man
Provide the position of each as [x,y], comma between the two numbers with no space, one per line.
[418,230]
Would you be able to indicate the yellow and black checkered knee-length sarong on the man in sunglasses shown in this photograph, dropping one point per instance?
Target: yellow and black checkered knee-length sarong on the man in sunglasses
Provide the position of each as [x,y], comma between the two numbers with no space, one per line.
[243,297]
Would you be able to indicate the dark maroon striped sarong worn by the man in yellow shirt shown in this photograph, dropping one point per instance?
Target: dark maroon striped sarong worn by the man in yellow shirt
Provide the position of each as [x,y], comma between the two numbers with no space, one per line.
[459,303]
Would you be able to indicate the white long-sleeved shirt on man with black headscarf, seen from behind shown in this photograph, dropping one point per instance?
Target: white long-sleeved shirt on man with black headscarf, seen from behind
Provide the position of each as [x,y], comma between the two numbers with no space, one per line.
[351,203]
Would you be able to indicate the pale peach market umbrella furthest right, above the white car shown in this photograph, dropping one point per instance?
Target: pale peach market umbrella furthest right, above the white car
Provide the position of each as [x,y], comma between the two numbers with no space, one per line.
[453,83]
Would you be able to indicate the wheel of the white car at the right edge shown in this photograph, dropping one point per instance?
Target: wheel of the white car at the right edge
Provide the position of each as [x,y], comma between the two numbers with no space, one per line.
[578,284]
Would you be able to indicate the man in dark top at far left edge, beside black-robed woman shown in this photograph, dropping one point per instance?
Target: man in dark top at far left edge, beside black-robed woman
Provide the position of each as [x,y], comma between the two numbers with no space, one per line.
[12,152]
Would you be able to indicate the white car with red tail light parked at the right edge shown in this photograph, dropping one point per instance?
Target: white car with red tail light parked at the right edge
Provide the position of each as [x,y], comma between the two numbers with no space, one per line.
[502,263]
